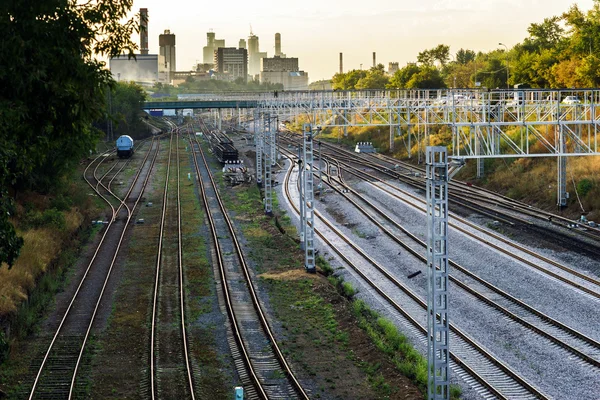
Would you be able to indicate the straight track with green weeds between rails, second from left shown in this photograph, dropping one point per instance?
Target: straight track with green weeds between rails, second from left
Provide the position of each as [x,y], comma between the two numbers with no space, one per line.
[170,369]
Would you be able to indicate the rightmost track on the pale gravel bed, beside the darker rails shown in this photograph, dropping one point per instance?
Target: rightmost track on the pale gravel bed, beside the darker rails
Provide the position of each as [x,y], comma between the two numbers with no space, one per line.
[553,269]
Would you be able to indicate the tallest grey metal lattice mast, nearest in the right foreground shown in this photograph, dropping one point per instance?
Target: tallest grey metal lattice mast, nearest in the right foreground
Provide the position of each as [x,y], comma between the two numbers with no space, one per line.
[438,352]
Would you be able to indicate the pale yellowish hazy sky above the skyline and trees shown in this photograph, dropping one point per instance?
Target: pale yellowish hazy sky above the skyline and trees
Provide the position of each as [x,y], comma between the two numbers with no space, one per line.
[317,31]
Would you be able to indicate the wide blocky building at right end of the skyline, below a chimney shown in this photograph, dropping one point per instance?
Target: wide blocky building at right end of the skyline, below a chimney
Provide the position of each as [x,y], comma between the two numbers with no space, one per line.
[284,71]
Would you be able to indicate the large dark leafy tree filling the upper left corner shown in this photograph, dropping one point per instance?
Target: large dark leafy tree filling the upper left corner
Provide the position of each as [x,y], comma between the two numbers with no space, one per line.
[53,88]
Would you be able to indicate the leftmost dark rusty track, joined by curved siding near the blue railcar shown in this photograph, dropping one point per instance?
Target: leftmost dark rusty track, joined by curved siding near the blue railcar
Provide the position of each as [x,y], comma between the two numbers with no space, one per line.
[55,373]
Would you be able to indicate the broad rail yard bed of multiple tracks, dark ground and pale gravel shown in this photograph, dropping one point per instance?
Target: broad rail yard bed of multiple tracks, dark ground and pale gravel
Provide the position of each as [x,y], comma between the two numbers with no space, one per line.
[525,284]
